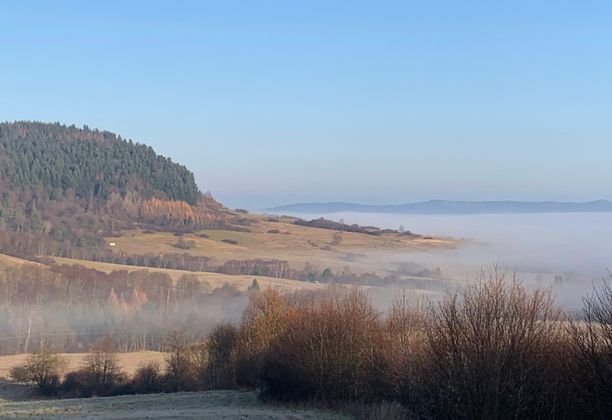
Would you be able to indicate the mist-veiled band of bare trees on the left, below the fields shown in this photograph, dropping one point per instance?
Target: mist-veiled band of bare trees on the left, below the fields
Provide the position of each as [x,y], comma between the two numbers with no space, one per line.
[69,307]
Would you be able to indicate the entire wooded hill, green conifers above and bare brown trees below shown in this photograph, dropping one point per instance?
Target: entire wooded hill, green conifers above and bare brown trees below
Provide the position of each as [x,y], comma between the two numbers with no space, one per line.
[62,188]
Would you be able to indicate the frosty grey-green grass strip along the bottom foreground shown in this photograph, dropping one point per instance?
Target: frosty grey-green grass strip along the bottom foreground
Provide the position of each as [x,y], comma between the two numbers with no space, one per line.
[185,405]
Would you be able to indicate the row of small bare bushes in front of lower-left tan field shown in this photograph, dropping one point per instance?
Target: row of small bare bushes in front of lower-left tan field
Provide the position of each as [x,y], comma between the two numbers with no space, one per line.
[189,365]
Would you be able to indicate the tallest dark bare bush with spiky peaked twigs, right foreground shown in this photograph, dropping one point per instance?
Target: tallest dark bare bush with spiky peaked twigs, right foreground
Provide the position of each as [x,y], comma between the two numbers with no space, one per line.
[490,347]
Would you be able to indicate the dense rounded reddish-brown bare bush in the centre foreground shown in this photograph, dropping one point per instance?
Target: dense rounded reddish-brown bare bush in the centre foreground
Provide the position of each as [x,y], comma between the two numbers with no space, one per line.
[327,352]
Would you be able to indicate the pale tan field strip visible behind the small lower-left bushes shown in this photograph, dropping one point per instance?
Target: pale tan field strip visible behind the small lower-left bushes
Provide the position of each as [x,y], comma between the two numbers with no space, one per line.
[129,362]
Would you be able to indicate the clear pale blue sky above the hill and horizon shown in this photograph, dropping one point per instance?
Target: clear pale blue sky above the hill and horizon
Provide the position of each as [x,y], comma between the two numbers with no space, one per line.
[275,102]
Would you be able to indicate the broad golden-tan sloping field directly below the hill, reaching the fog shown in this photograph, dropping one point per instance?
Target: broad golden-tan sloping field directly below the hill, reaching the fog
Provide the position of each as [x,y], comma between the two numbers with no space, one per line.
[283,240]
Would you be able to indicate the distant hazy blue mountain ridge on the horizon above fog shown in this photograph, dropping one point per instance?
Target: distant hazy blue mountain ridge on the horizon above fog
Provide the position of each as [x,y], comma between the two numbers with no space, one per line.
[452,207]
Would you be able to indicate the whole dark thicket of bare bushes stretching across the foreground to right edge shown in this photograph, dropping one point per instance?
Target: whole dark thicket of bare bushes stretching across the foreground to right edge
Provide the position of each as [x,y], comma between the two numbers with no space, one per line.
[493,350]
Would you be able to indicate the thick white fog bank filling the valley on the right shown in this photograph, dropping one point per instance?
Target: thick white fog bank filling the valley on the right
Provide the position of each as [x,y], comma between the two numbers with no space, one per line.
[569,251]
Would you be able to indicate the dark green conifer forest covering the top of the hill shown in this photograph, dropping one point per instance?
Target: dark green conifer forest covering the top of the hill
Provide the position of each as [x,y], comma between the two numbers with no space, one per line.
[91,163]
